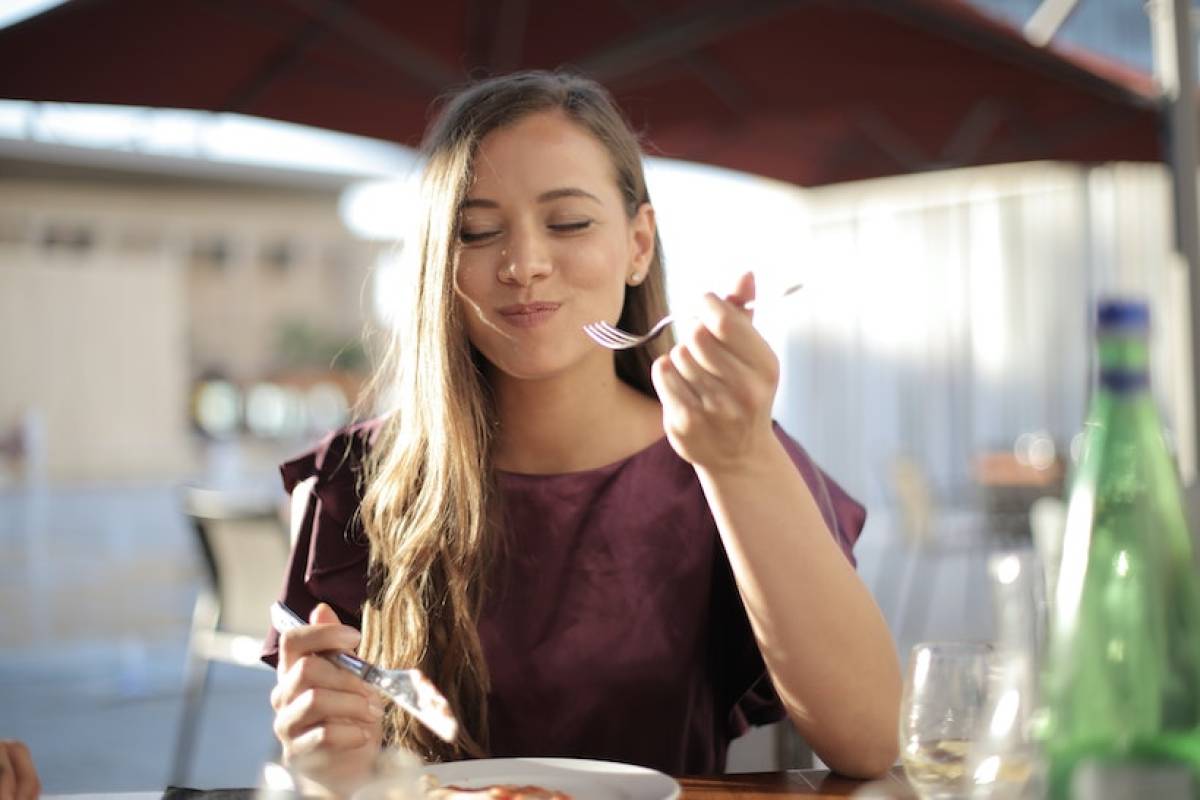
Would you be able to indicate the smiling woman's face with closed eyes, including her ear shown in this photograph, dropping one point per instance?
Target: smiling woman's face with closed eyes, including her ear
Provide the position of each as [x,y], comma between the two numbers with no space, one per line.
[545,246]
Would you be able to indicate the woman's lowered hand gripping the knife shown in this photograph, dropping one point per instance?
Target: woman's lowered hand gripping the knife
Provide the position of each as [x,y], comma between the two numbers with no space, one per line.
[329,721]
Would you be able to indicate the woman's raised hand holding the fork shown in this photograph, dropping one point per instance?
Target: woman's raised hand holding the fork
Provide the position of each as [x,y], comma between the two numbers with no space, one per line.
[718,384]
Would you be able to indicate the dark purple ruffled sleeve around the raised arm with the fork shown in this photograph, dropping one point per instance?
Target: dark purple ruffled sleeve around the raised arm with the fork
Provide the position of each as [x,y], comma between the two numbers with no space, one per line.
[747,684]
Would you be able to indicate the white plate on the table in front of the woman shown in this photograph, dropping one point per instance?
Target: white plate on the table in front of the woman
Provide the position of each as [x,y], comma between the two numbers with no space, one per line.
[581,779]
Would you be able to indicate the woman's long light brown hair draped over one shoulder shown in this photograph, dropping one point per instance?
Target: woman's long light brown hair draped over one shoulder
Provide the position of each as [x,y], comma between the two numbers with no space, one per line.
[429,507]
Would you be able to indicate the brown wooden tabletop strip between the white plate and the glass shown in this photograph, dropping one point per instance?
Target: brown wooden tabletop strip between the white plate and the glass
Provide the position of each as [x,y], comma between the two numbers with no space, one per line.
[806,784]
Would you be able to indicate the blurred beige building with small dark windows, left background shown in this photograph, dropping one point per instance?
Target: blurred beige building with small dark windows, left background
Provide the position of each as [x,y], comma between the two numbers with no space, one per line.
[122,300]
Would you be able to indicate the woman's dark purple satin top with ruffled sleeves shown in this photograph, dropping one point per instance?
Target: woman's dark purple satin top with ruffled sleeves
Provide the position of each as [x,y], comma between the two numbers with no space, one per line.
[614,628]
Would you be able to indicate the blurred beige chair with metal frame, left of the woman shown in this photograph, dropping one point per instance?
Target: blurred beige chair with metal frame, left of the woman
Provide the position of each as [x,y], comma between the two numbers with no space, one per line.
[244,548]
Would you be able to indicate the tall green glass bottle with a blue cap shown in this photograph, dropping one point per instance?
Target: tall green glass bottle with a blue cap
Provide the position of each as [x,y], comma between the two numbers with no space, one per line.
[1123,672]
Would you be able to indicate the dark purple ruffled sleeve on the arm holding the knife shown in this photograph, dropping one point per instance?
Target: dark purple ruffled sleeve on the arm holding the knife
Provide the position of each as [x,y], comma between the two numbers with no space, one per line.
[329,557]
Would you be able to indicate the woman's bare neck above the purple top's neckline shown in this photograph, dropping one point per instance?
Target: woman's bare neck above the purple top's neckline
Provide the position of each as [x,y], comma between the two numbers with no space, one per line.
[568,424]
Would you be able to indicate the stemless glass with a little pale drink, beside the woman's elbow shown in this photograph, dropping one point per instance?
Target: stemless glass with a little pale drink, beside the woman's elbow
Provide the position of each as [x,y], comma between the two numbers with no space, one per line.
[943,709]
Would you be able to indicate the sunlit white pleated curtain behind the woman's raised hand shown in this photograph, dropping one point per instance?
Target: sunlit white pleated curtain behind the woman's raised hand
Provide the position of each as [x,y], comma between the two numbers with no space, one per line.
[946,315]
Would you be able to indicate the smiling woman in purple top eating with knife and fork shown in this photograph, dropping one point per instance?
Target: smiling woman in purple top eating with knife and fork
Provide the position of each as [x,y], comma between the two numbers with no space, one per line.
[595,555]
